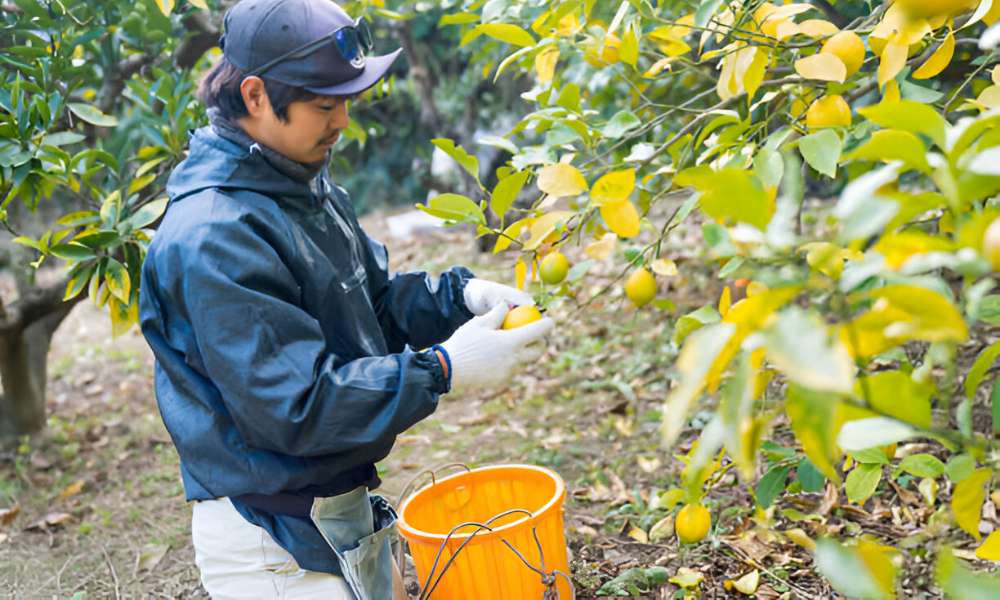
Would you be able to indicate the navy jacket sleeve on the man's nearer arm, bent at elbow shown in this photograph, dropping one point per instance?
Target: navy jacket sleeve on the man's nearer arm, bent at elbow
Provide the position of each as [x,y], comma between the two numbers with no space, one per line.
[285,392]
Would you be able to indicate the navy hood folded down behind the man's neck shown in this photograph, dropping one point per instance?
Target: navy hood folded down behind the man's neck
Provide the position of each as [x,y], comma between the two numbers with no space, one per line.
[215,161]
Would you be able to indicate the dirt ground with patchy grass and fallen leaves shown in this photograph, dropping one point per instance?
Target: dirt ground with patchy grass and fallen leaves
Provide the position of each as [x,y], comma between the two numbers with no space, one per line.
[101,512]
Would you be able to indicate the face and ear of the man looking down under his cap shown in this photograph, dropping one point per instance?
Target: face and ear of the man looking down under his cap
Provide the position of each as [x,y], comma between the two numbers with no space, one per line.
[311,129]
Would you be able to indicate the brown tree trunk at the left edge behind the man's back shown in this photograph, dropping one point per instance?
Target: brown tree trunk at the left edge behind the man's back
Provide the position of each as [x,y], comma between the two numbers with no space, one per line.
[25,335]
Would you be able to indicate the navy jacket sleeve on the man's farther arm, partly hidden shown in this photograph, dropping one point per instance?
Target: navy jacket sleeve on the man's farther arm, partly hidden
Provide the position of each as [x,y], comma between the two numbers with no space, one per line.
[416,308]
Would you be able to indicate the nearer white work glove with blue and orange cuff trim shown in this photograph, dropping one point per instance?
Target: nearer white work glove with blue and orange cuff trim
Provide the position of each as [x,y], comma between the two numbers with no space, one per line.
[484,355]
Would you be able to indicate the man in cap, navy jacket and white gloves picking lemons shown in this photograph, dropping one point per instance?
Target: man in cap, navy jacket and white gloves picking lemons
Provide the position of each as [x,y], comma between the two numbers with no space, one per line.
[288,360]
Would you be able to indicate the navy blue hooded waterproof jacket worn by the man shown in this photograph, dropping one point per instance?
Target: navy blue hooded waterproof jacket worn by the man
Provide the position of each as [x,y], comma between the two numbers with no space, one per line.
[284,350]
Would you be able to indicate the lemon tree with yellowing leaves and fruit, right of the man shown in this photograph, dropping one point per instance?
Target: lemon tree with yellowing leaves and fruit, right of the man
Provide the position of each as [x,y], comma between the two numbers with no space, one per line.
[722,114]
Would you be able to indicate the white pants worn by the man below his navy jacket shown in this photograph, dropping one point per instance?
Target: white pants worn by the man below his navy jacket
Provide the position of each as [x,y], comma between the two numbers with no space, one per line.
[239,560]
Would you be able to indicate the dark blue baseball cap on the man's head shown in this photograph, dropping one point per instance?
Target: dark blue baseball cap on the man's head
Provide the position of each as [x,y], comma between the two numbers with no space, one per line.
[258,33]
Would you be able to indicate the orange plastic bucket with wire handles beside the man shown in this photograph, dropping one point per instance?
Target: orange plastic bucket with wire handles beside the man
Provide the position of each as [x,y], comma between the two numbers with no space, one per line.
[486,569]
